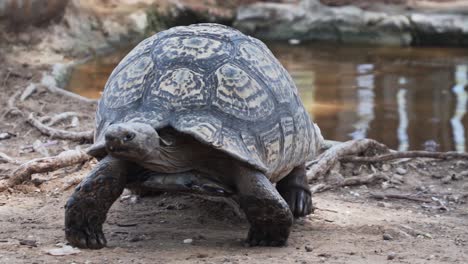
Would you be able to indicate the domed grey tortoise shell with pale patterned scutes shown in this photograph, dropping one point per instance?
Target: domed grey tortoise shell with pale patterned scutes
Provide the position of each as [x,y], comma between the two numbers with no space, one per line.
[218,85]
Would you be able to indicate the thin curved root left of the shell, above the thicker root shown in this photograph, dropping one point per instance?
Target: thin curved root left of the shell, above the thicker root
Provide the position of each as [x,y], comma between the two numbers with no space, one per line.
[58,133]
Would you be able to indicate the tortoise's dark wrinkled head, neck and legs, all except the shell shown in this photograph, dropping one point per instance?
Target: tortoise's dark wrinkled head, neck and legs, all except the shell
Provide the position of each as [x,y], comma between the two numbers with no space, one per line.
[269,210]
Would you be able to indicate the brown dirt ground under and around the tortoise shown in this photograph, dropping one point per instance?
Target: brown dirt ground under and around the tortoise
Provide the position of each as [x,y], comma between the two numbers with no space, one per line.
[348,226]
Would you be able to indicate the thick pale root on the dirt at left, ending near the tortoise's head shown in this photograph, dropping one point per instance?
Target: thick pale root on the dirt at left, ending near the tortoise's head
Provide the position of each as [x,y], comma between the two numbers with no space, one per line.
[40,165]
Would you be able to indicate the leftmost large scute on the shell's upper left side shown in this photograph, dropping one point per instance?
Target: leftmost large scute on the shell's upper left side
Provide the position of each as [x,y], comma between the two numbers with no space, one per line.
[127,85]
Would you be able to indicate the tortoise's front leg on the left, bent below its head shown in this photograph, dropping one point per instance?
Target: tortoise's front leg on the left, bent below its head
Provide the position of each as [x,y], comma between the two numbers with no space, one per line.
[86,209]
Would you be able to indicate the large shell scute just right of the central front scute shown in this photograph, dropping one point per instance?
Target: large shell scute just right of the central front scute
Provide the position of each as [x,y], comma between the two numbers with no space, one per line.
[240,95]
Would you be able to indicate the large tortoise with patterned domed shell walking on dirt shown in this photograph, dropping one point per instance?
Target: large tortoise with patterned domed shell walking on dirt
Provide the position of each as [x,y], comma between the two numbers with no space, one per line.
[206,109]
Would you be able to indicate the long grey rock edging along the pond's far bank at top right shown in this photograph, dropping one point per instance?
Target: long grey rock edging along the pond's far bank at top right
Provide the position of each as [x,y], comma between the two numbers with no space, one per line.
[310,20]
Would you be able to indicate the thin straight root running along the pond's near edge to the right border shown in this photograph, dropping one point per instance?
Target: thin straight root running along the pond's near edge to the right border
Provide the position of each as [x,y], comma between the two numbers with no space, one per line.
[406,154]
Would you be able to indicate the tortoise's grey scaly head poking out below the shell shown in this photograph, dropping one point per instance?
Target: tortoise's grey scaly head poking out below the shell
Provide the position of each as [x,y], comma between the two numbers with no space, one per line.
[131,141]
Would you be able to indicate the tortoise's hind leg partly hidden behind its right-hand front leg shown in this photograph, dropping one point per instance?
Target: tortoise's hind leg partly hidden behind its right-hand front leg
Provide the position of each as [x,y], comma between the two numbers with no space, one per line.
[295,190]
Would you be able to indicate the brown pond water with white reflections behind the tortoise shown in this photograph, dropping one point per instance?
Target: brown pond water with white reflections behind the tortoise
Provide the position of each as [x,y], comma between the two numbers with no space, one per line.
[407,98]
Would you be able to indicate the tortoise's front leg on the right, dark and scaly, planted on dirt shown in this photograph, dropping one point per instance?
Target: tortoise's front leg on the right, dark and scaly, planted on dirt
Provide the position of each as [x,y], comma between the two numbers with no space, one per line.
[268,214]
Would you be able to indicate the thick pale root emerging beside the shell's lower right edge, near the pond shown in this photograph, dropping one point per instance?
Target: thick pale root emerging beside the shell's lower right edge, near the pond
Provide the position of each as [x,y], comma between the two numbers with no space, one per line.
[327,160]
